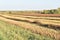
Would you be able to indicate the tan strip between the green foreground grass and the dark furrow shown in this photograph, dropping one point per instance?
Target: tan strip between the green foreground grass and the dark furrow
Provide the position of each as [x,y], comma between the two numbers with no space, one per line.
[34,28]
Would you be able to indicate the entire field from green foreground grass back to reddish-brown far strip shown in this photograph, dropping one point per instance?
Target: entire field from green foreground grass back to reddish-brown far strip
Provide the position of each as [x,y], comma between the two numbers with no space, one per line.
[29,26]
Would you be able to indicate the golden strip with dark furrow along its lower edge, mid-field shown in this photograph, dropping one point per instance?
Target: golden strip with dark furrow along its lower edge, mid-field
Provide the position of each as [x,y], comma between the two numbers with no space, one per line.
[55,24]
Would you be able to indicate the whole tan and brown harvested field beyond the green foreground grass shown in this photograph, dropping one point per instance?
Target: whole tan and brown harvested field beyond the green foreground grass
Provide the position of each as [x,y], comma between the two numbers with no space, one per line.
[46,25]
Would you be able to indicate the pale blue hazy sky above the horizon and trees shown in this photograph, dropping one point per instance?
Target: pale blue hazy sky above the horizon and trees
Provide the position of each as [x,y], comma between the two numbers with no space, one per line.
[29,4]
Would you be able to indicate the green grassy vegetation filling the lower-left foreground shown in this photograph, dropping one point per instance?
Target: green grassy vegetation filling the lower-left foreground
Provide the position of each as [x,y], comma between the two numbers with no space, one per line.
[13,32]
